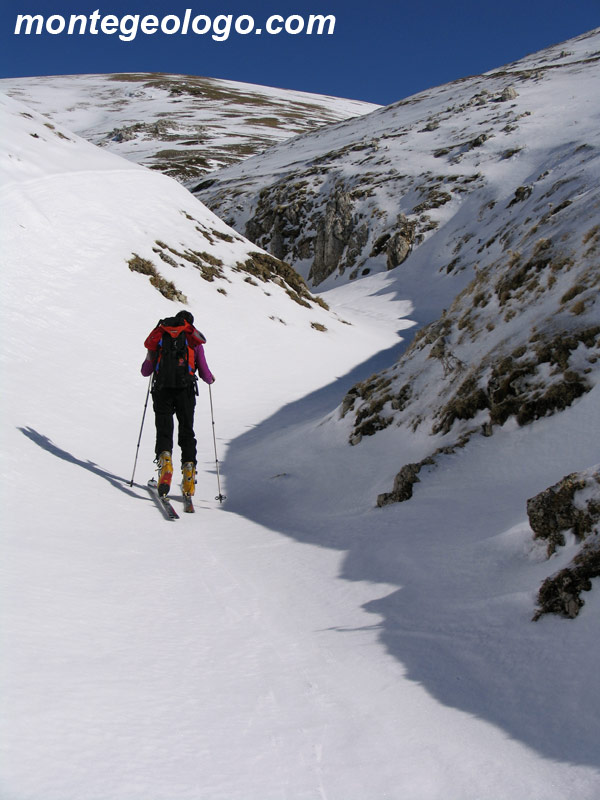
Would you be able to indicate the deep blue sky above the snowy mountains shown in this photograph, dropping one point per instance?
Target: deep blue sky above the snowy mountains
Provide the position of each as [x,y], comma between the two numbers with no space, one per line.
[380,51]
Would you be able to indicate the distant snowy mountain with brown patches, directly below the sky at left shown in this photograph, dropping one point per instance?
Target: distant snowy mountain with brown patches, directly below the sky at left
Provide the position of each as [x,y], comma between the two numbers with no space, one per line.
[182,125]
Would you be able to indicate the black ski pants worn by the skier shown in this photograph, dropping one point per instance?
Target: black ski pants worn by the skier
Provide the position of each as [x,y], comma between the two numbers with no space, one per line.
[182,403]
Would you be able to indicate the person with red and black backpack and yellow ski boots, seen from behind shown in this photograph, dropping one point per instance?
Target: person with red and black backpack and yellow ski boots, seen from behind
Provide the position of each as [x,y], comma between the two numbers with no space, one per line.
[175,353]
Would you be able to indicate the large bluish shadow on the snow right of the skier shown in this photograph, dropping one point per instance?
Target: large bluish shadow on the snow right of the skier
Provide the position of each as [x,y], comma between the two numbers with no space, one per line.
[469,644]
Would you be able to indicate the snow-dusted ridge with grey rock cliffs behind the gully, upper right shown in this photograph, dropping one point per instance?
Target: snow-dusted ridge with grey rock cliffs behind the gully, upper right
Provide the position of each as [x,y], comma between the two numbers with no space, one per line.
[312,206]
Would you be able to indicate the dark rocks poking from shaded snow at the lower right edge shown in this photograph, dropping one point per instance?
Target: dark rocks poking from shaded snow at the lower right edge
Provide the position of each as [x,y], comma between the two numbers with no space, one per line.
[570,506]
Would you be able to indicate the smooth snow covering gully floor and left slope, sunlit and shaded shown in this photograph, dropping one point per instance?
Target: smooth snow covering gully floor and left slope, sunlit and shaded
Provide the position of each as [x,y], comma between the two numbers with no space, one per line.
[295,642]
